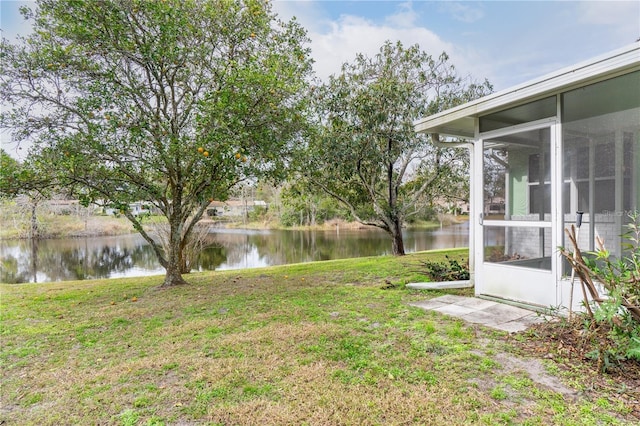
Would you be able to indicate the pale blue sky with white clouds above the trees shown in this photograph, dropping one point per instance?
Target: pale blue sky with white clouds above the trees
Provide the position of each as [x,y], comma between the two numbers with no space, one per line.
[505,42]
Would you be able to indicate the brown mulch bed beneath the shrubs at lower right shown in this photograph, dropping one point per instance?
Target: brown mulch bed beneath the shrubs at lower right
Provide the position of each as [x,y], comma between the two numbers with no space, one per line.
[567,344]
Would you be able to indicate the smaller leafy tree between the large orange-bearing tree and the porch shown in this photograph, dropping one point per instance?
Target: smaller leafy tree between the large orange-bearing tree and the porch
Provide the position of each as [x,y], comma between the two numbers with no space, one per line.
[366,153]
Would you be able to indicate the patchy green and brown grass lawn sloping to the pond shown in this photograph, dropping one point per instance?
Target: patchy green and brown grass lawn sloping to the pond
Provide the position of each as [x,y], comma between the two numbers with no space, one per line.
[324,343]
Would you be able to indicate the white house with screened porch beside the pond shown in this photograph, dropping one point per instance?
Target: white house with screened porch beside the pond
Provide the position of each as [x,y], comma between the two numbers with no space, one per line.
[547,149]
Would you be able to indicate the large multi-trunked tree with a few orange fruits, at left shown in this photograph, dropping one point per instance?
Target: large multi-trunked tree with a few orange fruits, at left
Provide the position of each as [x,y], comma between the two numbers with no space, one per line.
[168,102]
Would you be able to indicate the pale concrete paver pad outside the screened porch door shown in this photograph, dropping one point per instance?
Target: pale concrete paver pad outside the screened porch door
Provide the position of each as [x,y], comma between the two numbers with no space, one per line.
[485,312]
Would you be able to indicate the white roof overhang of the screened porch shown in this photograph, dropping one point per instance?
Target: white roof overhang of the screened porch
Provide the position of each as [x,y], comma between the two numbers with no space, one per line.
[460,121]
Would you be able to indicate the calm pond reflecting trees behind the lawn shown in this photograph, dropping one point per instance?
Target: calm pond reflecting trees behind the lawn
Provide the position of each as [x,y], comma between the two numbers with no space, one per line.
[130,255]
